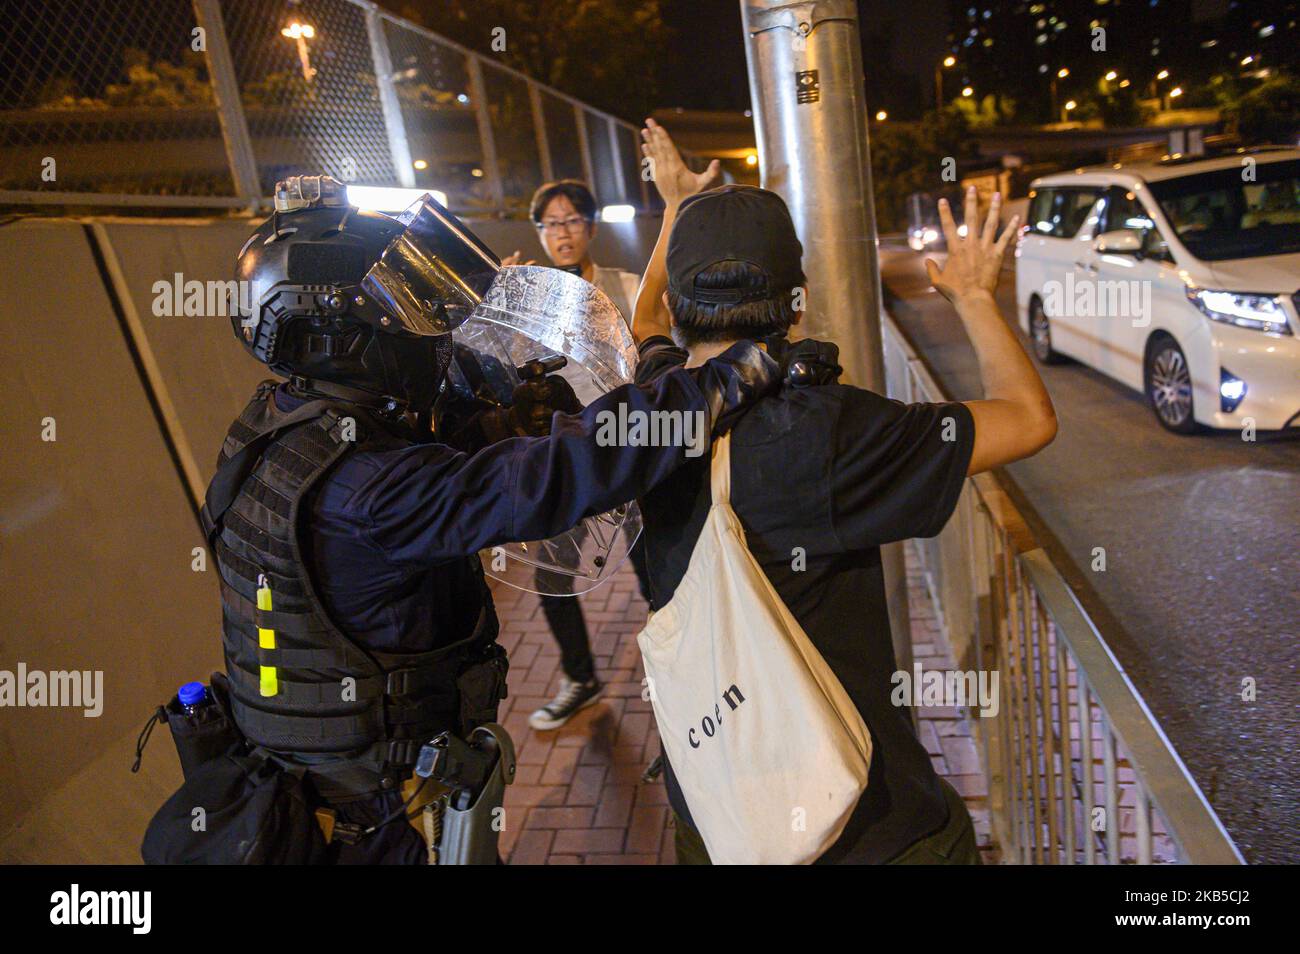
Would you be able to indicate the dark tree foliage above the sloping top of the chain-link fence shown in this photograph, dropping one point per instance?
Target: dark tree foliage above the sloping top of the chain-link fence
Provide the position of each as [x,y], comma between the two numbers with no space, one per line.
[601,53]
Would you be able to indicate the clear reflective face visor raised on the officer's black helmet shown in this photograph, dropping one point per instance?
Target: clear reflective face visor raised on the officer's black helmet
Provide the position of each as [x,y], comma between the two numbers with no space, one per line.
[434,275]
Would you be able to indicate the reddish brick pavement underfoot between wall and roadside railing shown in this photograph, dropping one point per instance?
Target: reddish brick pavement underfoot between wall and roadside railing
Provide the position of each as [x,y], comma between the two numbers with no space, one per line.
[579,797]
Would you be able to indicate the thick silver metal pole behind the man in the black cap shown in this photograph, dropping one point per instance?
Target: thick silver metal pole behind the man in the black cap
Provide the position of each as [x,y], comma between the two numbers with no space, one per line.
[811,122]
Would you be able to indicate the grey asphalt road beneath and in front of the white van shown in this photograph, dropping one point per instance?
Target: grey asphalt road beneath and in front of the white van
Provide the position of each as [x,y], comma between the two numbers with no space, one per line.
[1202,588]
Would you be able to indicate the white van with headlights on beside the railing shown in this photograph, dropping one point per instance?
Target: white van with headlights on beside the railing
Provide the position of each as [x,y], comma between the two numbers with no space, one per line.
[1180,279]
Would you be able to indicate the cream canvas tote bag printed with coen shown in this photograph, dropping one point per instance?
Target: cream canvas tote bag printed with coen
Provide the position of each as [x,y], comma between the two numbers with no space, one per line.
[769,749]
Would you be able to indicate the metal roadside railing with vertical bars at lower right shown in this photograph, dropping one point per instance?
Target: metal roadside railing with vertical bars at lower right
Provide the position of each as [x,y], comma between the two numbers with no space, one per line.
[1080,770]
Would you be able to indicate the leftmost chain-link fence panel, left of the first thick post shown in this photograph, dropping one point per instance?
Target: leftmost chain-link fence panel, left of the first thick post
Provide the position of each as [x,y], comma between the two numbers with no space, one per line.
[109,98]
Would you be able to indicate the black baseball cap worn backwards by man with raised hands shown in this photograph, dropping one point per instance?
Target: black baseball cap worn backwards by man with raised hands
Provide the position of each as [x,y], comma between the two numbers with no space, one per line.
[734,224]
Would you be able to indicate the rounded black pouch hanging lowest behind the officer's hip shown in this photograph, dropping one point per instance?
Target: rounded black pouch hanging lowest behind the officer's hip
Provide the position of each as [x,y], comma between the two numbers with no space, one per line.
[237,810]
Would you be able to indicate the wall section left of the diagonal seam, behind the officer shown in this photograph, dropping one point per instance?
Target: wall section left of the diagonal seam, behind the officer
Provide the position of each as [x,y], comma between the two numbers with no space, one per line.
[96,549]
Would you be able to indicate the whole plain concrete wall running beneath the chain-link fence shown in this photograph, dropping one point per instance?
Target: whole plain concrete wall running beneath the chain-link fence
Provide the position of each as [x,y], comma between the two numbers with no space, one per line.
[97,527]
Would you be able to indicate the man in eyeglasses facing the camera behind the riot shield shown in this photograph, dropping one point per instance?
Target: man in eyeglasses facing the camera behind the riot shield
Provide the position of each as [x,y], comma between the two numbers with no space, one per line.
[565,214]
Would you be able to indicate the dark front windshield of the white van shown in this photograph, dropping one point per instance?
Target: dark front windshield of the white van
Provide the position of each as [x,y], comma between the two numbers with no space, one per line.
[1236,214]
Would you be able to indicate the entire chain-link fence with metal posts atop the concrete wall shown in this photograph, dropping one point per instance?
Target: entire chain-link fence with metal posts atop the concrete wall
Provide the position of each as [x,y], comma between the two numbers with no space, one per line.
[211,102]
